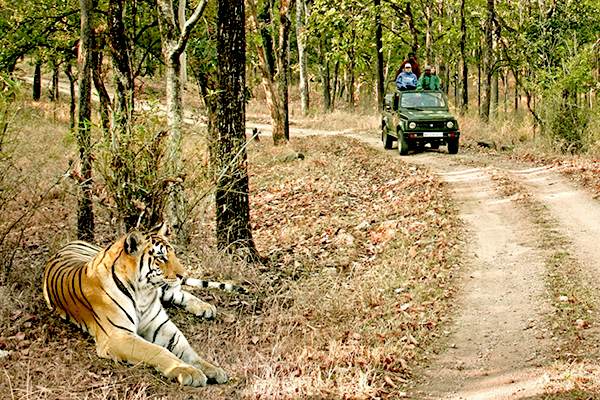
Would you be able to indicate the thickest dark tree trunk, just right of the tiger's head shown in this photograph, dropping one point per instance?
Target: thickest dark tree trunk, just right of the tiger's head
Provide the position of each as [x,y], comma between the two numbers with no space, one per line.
[228,138]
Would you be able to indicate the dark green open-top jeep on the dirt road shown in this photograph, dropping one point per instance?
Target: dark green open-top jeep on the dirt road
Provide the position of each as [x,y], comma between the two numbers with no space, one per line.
[415,118]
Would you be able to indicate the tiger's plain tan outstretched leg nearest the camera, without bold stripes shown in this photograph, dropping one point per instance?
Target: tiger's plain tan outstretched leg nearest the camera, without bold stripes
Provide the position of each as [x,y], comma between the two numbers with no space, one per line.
[126,346]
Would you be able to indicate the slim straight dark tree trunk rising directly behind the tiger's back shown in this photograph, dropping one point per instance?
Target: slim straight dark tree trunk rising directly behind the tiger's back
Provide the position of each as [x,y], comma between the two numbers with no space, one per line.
[85,214]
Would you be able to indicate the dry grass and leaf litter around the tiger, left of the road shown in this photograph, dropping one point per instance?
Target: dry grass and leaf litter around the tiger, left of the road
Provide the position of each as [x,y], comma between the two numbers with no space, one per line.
[361,253]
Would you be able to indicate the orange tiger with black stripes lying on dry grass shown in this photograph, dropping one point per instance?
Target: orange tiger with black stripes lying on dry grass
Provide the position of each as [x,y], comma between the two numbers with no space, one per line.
[116,294]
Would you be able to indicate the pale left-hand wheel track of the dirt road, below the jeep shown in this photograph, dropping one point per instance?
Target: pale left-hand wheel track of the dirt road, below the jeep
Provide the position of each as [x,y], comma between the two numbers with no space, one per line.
[497,346]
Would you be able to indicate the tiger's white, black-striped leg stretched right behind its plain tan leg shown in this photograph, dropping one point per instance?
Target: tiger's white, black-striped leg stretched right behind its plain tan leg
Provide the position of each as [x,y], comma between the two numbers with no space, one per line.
[163,332]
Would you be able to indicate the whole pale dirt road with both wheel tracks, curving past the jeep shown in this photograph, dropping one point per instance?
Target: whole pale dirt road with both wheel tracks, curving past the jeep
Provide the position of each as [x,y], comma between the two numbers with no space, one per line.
[499,346]
